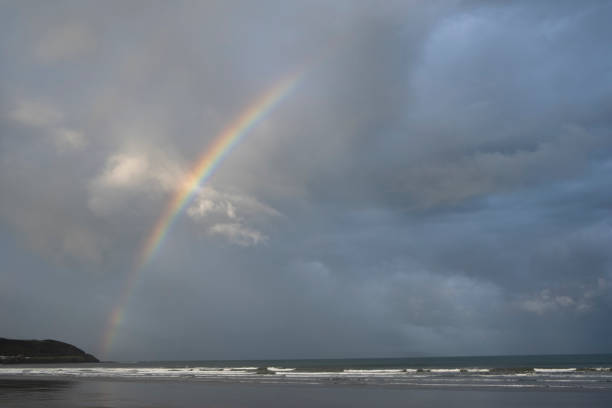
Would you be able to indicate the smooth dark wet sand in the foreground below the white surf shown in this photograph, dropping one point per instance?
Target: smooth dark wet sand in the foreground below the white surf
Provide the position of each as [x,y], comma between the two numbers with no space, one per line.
[34,393]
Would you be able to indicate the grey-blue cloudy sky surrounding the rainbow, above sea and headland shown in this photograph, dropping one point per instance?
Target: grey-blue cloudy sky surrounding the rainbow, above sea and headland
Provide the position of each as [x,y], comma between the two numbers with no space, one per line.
[437,181]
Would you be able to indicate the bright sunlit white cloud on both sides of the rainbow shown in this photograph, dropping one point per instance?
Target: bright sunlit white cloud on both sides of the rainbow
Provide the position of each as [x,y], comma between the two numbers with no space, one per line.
[136,174]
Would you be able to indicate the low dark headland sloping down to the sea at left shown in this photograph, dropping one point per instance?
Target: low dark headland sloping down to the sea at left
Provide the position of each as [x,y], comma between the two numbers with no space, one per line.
[41,351]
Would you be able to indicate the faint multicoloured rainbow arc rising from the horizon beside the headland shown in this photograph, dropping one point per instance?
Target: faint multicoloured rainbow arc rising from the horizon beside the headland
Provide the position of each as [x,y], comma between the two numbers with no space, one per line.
[202,170]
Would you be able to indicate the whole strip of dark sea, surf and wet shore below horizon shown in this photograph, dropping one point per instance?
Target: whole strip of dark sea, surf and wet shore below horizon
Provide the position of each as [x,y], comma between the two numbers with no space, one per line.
[484,381]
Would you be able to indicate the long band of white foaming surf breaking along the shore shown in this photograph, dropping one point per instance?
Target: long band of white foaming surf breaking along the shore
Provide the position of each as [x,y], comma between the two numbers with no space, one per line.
[441,377]
